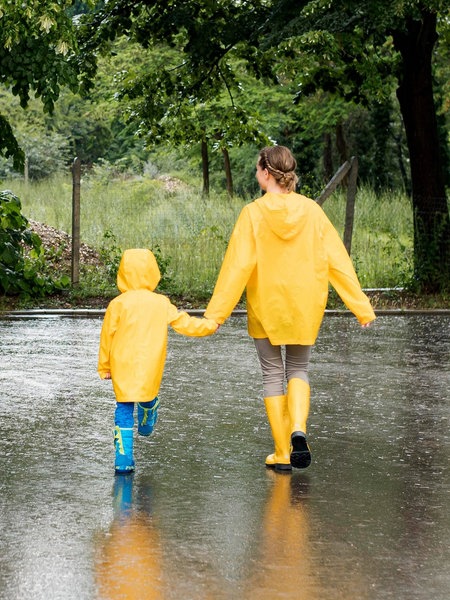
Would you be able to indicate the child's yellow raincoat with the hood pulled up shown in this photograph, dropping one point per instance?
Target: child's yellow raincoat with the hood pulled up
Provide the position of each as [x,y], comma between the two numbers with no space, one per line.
[133,340]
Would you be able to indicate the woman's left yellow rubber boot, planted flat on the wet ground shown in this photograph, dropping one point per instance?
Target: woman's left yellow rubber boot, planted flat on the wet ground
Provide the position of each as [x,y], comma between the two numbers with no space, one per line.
[276,408]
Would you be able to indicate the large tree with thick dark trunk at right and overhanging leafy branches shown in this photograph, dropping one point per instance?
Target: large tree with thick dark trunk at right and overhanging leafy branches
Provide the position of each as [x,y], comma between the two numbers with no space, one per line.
[355,48]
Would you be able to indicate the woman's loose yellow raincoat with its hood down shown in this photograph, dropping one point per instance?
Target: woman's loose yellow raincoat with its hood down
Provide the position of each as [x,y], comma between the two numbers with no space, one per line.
[285,251]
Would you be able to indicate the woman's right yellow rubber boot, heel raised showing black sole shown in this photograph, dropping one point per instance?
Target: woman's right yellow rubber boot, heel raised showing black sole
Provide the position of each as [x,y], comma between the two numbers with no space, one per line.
[298,408]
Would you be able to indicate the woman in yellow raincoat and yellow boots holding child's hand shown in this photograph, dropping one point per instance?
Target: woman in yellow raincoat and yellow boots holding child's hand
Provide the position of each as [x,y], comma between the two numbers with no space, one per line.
[285,252]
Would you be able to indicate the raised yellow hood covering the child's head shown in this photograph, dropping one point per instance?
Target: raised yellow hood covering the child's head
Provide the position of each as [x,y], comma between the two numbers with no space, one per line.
[138,270]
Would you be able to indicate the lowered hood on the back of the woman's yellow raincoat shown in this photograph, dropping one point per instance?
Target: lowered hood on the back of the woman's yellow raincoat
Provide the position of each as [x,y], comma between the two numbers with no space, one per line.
[284,214]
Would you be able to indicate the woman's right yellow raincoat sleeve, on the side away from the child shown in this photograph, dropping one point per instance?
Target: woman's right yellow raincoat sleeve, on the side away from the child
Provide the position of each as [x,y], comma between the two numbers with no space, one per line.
[343,278]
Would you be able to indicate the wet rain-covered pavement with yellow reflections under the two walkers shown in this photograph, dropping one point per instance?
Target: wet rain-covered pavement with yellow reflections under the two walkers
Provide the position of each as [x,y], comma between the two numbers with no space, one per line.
[202,518]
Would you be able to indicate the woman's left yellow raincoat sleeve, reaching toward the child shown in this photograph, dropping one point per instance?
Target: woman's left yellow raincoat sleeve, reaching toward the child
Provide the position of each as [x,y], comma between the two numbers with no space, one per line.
[238,264]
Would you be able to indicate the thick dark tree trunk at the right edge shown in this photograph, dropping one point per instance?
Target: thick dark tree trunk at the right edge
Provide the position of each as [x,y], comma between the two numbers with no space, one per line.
[415,94]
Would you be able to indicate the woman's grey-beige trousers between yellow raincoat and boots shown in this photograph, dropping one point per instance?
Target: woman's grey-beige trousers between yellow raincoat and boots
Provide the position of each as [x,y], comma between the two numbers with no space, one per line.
[279,364]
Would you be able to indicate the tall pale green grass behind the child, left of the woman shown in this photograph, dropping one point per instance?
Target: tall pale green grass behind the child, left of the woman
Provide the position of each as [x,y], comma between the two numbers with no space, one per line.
[189,232]
